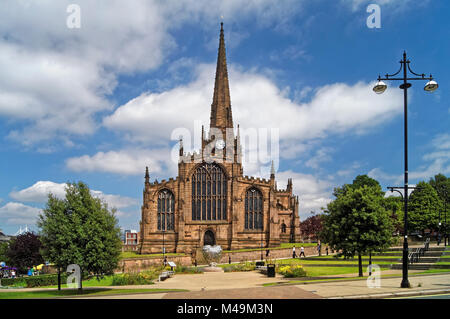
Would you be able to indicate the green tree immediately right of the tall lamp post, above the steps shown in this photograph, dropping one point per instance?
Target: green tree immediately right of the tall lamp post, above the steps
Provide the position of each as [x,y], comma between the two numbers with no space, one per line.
[423,209]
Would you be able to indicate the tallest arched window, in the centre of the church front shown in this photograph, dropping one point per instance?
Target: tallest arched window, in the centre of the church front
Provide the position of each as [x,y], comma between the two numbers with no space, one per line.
[209,193]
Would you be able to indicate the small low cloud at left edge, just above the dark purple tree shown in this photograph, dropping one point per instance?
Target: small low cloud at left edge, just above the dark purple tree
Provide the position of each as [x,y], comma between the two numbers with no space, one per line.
[18,213]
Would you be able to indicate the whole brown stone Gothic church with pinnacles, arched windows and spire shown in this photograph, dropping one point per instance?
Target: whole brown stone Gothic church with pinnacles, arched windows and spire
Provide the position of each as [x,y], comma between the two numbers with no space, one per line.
[211,201]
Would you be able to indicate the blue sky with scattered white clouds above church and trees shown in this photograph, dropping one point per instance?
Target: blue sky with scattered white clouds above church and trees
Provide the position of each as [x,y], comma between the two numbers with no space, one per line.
[100,102]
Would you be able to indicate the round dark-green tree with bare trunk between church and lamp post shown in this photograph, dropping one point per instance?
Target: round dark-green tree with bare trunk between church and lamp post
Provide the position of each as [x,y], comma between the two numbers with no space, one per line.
[356,223]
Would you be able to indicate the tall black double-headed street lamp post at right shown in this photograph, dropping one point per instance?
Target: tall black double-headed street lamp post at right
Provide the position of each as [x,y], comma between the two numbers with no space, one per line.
[379,88]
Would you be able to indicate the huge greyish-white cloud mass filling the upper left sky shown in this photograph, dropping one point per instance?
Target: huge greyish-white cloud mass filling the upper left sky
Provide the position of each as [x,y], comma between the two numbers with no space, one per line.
[54,79]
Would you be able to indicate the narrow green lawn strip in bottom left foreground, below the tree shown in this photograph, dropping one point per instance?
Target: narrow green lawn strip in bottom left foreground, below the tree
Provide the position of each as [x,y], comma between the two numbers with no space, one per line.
[74,292]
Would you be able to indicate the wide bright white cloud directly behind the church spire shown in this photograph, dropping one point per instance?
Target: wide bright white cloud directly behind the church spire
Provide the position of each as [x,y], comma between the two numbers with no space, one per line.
[257,103]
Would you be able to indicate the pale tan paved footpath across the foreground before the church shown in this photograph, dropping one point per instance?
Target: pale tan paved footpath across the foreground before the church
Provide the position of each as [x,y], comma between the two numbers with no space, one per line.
[248,285]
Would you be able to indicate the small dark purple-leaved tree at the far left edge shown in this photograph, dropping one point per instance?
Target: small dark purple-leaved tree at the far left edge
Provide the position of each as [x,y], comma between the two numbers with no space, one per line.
[24,252]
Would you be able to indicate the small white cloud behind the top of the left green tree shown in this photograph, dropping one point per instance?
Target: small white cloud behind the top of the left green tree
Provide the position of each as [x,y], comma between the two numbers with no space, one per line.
[38,193]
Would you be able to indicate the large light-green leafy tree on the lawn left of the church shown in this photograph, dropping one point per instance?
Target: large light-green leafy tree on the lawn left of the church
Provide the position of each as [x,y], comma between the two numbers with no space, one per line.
[80,229]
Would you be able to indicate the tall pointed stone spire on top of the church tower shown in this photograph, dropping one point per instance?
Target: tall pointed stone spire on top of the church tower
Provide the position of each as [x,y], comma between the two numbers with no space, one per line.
[221,116]
